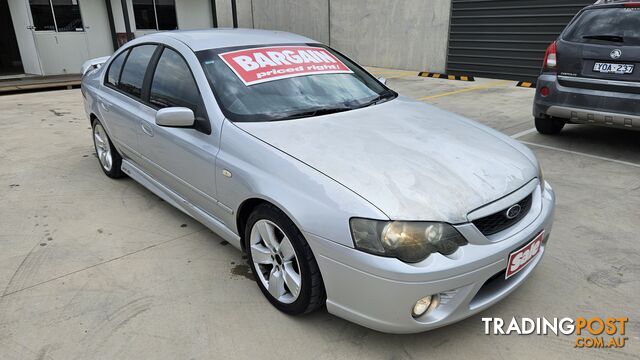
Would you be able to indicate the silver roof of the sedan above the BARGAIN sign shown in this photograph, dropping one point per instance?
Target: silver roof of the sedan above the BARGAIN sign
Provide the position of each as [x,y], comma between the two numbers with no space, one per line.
[228,37]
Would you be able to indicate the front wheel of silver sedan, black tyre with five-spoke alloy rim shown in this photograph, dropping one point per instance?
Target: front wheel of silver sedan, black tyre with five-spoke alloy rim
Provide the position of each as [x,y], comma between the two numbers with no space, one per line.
[282,262]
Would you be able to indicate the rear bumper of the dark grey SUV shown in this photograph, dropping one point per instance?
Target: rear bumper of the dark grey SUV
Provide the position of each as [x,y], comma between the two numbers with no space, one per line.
[586,106]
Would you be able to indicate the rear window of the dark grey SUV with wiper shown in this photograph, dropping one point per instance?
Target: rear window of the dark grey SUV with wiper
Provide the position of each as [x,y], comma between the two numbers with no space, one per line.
[606,26]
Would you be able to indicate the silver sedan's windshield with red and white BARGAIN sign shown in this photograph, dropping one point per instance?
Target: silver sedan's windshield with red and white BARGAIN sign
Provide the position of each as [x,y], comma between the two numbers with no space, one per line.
[286,89]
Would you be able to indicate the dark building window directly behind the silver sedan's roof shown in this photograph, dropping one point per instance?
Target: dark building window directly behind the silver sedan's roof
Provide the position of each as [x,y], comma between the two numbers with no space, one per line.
[155,14]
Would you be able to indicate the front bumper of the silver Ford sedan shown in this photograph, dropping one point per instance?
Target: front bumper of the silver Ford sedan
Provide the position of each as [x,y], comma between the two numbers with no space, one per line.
[379,292]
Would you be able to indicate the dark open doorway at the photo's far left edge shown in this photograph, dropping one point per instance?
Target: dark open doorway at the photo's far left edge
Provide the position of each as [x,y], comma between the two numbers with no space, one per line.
[10,61]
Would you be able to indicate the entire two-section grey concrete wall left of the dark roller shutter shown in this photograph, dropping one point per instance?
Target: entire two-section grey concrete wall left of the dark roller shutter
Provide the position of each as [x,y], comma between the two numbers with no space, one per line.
[402,34]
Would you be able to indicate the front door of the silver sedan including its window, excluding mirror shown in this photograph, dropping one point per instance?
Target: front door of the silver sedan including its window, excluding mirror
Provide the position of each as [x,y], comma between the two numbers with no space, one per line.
[183,159]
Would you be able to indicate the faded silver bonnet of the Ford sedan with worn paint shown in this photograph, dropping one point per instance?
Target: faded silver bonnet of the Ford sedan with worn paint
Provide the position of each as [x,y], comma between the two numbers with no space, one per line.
[411,160]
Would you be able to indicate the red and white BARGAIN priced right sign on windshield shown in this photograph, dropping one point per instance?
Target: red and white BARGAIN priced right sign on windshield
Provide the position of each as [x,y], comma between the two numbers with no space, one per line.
[258,65]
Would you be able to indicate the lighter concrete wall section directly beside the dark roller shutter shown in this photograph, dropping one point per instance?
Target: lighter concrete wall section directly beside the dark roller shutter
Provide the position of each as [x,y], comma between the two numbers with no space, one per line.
[402,34]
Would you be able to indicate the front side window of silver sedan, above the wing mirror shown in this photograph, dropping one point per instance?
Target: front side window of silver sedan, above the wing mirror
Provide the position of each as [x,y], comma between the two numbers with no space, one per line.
[173,84]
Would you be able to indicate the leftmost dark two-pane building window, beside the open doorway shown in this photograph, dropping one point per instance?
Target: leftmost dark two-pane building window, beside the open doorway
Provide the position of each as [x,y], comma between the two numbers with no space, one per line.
[56,15]
